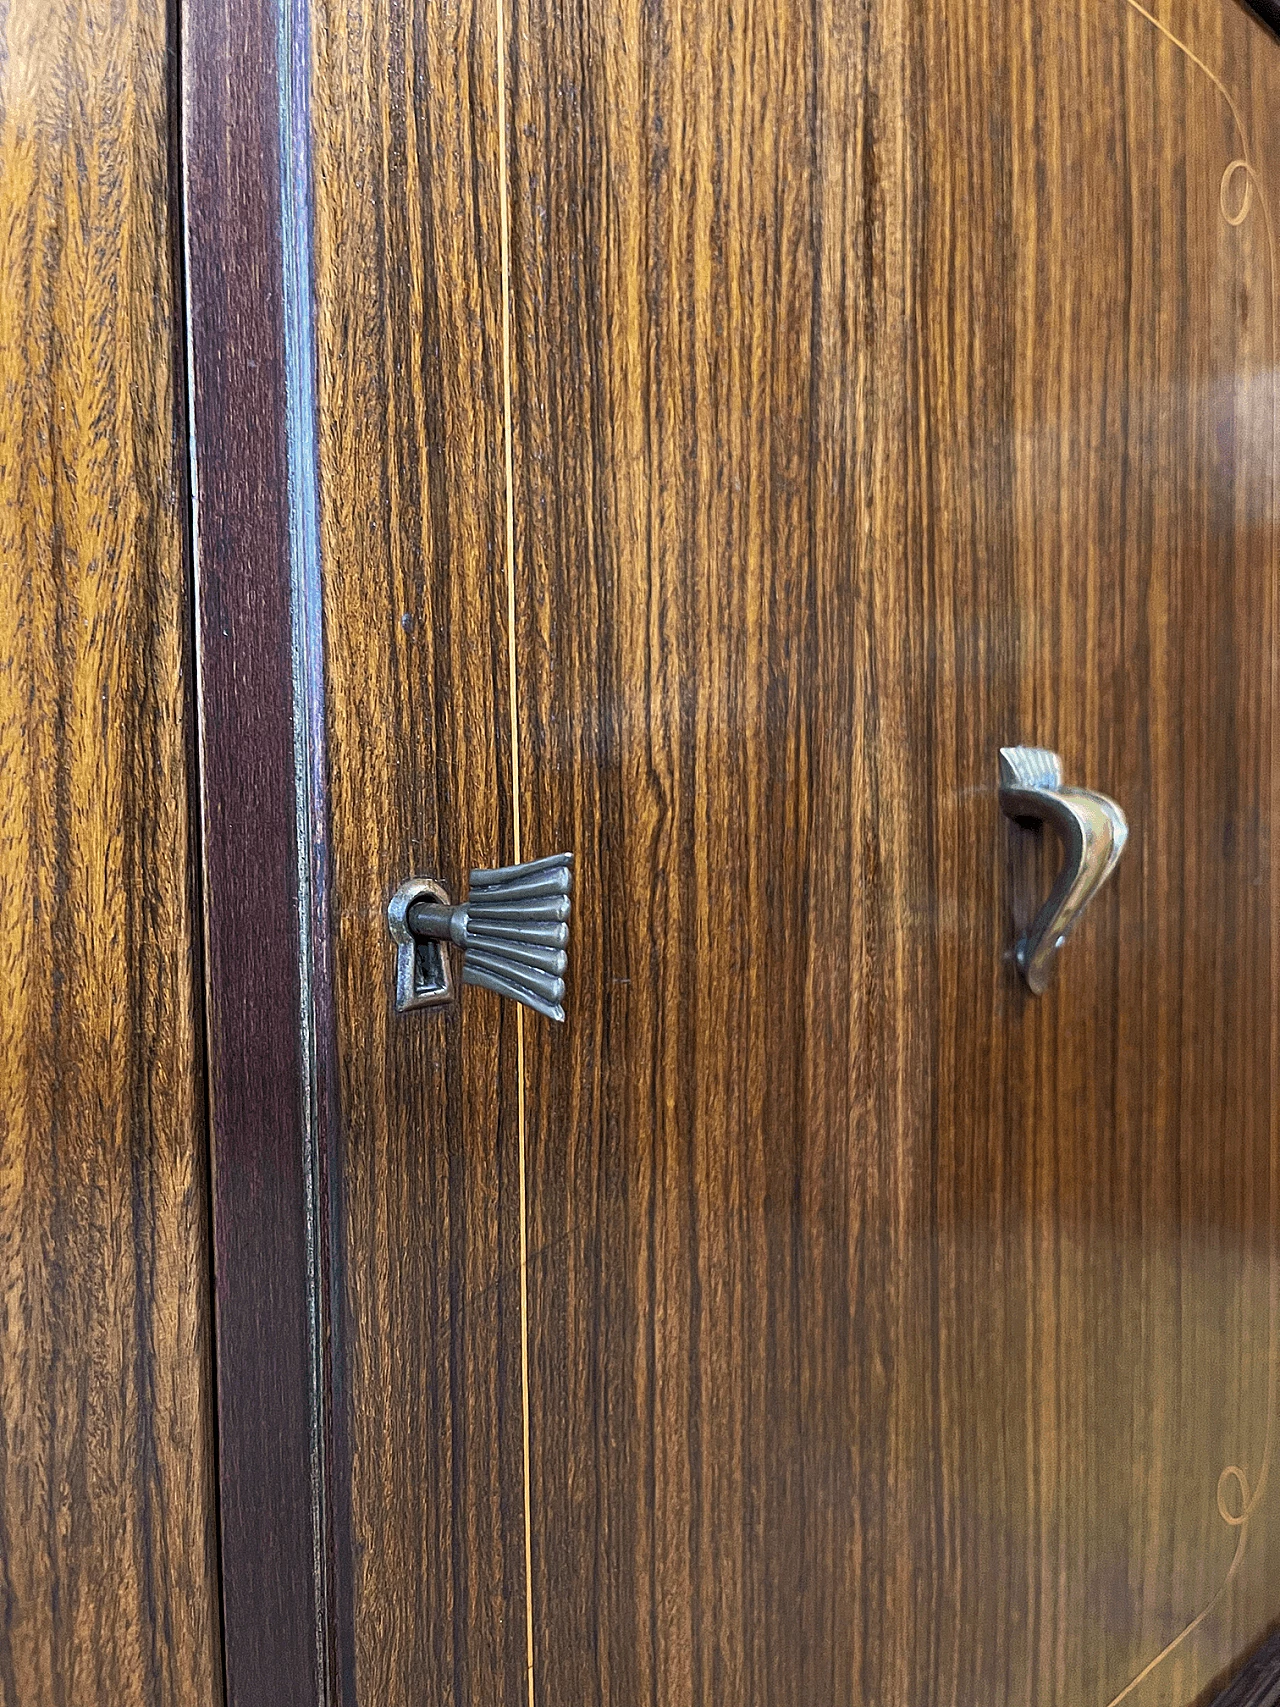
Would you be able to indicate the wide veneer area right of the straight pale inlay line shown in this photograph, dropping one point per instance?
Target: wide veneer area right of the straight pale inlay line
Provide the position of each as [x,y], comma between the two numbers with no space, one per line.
[888,387]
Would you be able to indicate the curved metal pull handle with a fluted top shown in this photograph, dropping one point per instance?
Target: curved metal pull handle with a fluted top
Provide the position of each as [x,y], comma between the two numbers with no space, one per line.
[1093,832]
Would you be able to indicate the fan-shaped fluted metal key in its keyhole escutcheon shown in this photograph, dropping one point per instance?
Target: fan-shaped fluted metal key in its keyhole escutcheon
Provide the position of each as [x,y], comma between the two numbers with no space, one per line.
[513,931]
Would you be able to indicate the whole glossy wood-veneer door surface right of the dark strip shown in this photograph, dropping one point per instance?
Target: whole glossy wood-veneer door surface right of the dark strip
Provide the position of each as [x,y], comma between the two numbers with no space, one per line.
[736,426]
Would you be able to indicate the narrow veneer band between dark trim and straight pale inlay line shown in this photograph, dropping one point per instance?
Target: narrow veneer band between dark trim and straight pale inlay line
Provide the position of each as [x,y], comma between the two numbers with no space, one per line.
[419,716]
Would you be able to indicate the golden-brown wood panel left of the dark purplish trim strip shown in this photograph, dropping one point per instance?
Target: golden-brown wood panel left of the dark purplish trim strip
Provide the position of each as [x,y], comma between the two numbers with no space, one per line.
[108,1571]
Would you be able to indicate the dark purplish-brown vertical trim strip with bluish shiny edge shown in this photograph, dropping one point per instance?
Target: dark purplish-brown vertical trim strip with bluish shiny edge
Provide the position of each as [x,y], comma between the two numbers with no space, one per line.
[264,796]
